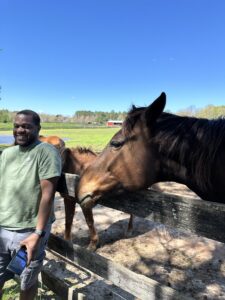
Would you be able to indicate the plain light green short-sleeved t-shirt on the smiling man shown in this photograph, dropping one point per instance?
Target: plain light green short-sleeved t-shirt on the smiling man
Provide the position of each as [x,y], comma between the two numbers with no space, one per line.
[21,169]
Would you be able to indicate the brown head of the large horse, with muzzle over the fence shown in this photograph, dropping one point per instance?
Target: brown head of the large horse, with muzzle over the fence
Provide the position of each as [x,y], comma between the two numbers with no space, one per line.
[128,161]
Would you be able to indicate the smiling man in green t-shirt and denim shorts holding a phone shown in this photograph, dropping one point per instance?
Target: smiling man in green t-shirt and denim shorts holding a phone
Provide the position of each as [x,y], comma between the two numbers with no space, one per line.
[29,173]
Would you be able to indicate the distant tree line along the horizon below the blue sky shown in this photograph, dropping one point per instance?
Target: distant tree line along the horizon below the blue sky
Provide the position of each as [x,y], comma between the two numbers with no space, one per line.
[100,117]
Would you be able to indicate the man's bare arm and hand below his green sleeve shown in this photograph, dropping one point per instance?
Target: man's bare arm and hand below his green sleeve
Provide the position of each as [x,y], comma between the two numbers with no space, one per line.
[48,188]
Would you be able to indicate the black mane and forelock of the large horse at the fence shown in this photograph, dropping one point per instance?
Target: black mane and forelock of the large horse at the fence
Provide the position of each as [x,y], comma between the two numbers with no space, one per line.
[194,142]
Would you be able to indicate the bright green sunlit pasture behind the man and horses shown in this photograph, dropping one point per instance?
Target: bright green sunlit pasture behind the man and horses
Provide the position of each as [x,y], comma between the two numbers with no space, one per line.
[95,138]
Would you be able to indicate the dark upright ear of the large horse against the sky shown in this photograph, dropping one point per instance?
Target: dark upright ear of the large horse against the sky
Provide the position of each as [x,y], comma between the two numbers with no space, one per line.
[155,109]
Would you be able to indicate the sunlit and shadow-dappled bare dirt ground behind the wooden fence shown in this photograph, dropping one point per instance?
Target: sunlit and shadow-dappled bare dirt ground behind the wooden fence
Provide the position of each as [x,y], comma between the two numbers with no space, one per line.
[190,264]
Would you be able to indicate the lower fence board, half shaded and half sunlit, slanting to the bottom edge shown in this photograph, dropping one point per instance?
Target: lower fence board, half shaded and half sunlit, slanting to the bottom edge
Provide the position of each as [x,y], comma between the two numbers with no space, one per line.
[138,285]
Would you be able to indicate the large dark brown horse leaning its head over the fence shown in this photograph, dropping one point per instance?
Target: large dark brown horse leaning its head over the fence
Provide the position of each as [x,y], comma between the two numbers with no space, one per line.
[155,146]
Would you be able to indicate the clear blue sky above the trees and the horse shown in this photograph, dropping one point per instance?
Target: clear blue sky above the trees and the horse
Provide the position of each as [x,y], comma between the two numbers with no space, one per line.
[60,56]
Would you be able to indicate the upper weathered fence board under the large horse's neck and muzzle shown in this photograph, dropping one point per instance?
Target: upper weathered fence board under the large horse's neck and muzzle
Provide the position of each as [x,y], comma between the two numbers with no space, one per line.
[197,216]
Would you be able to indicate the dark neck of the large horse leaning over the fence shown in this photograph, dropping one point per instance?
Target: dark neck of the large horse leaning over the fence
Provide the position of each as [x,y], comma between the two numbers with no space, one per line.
[192,153]
